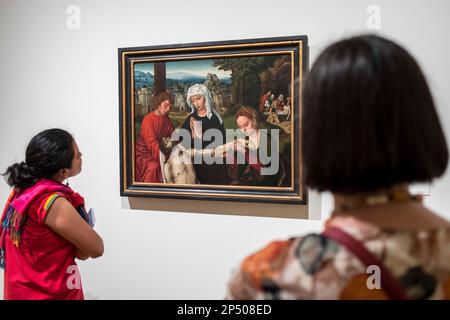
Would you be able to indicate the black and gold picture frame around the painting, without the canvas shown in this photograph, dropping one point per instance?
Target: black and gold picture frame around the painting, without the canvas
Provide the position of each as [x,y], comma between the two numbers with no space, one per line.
[295,46]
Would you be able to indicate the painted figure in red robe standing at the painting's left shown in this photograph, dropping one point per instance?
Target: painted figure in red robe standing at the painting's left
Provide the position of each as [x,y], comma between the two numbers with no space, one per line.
[155,126]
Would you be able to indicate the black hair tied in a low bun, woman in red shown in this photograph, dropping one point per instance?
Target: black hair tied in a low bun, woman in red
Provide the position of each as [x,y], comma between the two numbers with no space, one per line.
[48,152]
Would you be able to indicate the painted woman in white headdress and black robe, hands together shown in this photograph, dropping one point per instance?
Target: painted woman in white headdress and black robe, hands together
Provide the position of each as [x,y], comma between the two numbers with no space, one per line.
[204,117]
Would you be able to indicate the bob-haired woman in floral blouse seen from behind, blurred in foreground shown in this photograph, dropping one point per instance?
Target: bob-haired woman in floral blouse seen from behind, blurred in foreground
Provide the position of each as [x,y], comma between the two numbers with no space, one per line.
[370,128]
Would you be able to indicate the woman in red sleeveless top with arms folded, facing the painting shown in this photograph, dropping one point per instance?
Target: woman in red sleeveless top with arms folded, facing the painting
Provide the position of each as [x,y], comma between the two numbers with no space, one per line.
[44,225]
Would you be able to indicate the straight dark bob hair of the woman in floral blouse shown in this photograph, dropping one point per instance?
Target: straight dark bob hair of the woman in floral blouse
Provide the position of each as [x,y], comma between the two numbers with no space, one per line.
[369,121]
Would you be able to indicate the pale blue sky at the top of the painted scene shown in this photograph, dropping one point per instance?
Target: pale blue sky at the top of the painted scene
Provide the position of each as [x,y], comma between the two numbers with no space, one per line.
[184,69]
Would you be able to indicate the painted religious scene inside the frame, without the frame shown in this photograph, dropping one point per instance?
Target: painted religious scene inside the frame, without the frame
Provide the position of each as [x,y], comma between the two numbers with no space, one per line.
[222,121]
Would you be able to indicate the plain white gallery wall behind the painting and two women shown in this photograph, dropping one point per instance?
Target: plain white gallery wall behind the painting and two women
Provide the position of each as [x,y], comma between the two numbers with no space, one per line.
[55,76]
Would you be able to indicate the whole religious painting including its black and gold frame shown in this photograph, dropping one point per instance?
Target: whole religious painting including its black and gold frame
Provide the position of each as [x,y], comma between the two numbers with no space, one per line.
[214,120]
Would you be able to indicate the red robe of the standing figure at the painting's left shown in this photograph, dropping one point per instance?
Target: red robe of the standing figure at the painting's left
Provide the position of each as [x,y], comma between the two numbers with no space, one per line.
[154,128]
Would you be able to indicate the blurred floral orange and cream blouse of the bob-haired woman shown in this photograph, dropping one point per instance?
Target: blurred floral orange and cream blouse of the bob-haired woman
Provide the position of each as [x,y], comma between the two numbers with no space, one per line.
[312,267]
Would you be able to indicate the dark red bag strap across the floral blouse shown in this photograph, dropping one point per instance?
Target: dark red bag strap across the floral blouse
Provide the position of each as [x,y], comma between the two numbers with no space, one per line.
[390,285]
